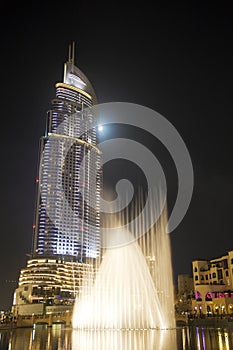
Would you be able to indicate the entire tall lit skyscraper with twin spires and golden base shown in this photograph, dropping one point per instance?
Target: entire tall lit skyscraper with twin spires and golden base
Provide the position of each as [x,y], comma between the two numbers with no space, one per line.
[66,231]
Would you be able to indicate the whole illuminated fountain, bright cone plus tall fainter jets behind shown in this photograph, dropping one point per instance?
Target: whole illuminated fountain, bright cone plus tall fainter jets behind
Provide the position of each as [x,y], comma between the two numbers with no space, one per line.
[133,288]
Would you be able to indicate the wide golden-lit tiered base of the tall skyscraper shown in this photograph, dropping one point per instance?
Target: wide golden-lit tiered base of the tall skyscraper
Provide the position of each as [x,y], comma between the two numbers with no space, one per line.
[50,282]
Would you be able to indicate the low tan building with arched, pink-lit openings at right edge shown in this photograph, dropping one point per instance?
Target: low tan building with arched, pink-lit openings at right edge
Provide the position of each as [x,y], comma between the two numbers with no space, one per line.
[213,285]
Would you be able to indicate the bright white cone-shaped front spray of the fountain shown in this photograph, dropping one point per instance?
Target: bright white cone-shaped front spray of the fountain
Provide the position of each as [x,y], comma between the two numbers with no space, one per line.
[123,295]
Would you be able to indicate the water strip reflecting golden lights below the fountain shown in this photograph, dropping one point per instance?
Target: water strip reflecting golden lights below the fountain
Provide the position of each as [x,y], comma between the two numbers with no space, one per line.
[58,337]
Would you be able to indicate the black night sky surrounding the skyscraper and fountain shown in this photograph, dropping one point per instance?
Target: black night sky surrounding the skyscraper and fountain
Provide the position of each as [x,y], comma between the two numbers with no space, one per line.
[176,59]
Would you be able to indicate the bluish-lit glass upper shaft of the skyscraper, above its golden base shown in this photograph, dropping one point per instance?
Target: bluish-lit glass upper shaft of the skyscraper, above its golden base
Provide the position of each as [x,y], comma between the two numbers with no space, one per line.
[67,221]
